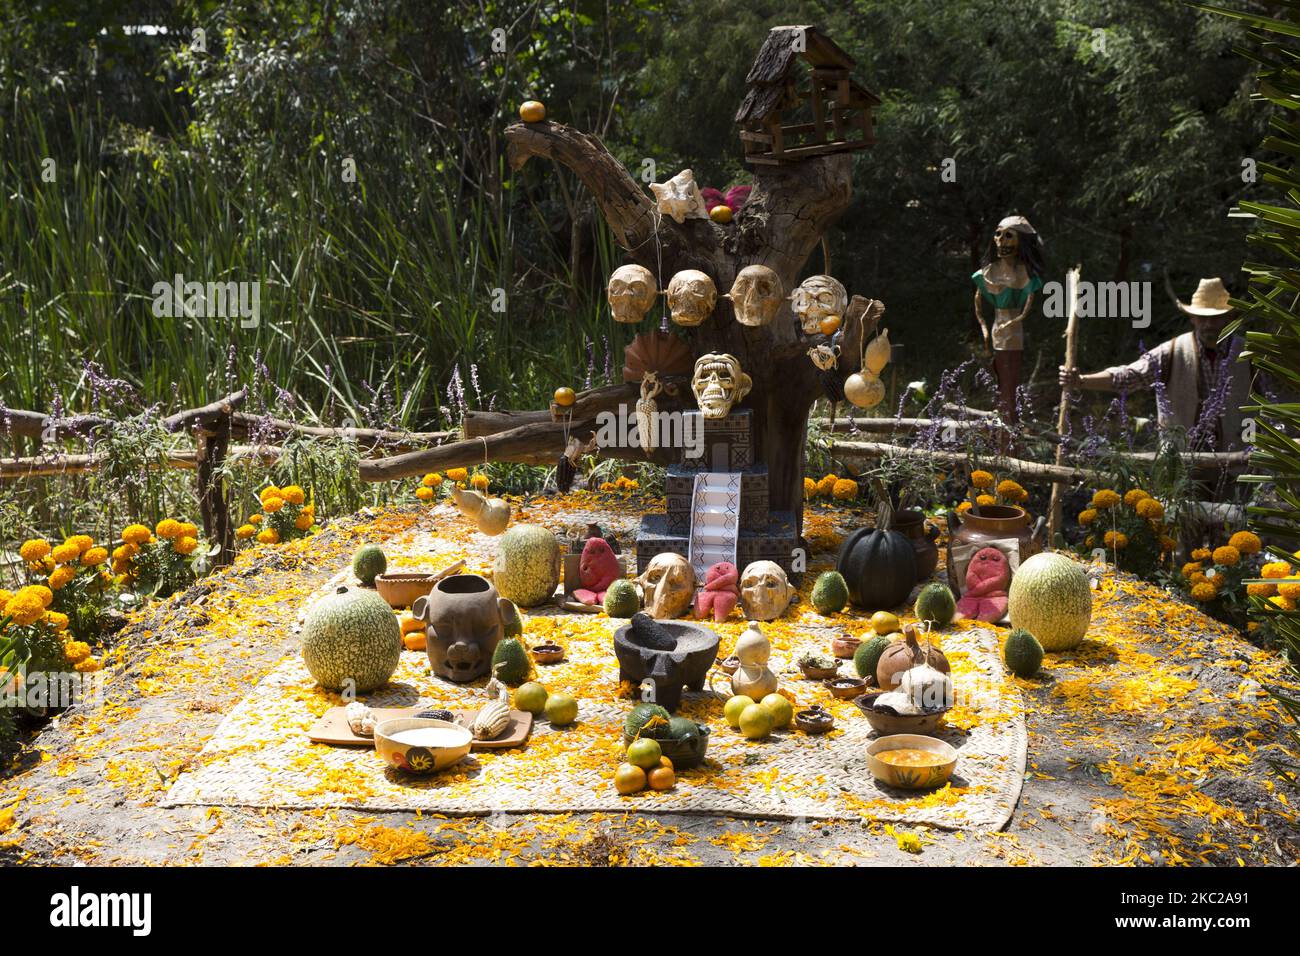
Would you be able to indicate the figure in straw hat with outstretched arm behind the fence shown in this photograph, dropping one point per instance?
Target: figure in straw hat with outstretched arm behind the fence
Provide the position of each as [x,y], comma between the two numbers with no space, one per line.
[1194,375]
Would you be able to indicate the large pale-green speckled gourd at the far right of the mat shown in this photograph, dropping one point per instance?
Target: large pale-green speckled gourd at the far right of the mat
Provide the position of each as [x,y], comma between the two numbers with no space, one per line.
[1051,599]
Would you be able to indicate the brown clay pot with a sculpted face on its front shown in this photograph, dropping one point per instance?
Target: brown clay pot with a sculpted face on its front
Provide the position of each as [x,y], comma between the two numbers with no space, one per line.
[465,620]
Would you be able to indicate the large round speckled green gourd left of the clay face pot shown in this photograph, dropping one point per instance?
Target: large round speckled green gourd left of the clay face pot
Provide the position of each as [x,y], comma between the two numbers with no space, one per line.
[352,641]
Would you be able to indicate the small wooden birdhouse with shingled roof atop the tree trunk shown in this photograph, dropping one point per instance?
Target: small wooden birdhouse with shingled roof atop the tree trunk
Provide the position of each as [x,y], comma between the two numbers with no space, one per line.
[801,101]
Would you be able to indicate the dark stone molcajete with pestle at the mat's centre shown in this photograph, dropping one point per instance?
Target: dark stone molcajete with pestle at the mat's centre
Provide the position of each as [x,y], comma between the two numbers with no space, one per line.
[671,654]
